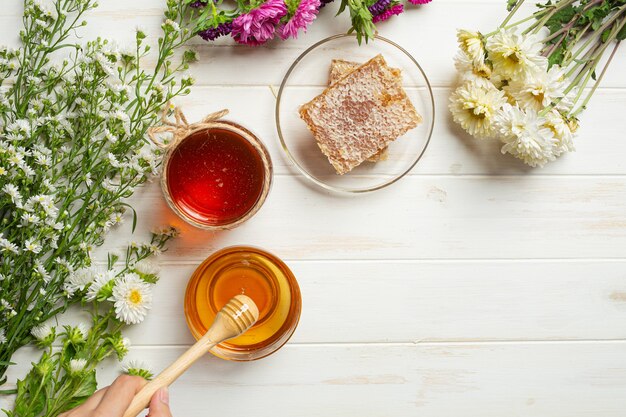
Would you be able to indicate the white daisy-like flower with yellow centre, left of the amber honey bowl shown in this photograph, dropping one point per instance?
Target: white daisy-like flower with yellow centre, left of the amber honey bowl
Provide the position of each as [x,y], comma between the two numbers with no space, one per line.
[133,298]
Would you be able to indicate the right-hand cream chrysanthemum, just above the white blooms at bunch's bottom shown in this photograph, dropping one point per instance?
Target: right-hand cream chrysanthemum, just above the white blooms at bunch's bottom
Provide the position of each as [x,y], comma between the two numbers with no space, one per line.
[538,89]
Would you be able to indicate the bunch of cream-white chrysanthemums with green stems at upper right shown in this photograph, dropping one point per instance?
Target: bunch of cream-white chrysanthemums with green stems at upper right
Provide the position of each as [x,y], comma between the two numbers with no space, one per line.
[527,82]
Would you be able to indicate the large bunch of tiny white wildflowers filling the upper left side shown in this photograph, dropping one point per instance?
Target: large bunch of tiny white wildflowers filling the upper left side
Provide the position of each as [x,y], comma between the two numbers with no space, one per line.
[73,119]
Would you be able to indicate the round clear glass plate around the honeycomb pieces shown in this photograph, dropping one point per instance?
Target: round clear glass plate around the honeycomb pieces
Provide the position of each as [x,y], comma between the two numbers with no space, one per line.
[308,76]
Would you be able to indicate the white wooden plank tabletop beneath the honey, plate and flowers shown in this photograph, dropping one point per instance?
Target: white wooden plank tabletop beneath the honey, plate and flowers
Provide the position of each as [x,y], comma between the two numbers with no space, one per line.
[487,289]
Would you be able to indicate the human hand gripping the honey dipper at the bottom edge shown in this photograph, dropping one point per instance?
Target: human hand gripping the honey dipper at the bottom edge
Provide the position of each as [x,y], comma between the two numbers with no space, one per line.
[112,401]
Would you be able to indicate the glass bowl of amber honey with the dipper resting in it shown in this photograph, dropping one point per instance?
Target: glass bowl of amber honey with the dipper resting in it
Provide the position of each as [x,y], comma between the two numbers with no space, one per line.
[259,275]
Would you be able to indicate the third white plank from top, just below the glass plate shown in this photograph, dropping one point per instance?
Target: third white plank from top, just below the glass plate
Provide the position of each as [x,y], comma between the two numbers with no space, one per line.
[421,217]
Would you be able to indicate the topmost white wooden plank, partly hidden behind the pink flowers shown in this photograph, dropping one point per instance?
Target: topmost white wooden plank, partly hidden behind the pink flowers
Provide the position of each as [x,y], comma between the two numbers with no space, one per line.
[425,33]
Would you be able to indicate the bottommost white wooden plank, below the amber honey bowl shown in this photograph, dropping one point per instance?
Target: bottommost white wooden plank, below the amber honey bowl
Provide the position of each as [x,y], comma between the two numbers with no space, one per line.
[481,380]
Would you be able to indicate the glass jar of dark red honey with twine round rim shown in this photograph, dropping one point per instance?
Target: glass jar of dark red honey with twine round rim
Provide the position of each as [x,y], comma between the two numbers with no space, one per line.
[216,177]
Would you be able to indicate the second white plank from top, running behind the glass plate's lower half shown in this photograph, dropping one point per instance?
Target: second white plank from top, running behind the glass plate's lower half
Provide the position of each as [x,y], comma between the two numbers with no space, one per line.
[451,151]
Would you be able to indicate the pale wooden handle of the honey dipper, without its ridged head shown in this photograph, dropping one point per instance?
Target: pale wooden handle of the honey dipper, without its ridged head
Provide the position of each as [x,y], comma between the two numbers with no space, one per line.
[169,375]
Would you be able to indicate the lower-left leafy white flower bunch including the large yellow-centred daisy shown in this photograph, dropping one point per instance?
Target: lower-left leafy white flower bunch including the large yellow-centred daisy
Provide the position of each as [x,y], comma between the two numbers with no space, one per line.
[116,295]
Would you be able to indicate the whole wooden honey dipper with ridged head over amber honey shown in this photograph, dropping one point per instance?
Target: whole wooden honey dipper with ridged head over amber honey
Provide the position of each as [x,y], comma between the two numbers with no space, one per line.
[237,316]
